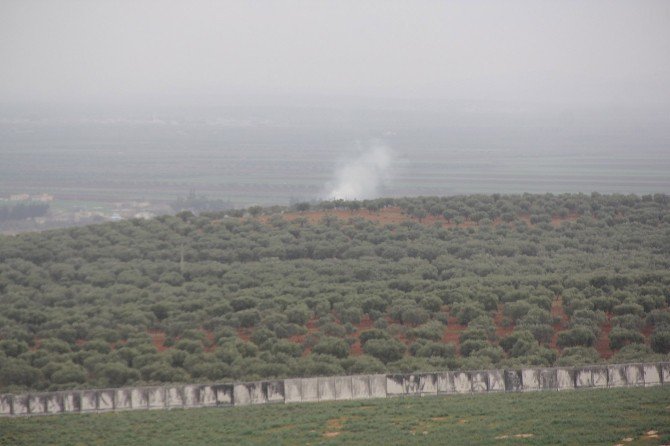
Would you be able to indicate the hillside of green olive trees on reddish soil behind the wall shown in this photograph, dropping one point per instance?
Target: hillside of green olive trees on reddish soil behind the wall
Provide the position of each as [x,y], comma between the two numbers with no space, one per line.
[338,287]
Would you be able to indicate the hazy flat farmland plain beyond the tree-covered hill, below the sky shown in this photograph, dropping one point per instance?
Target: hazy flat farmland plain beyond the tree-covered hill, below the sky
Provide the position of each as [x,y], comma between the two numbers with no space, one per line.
[277,156]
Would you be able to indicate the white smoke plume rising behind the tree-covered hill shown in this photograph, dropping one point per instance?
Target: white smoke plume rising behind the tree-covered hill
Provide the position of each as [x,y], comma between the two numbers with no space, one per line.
[362,177]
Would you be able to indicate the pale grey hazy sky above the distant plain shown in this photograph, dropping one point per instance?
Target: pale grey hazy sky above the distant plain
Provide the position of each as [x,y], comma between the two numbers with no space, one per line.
[99,51]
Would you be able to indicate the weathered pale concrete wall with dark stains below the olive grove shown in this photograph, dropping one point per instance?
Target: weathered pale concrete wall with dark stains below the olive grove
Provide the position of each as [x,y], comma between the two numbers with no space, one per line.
[336,388]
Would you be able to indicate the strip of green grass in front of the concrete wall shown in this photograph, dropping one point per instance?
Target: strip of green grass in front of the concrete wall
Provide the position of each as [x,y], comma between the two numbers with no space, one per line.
[571,417]
